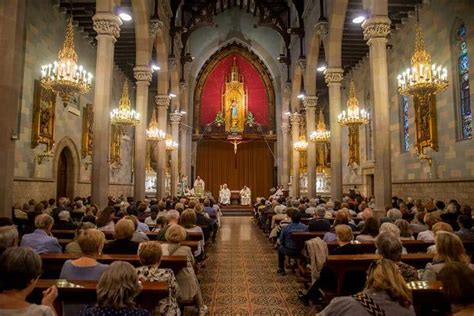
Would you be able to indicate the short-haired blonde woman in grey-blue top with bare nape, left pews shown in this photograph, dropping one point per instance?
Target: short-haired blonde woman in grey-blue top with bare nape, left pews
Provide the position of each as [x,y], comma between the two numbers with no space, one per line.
[86,267]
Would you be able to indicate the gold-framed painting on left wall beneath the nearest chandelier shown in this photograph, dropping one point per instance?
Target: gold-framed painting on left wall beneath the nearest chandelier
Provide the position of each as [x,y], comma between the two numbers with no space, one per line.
[44,109]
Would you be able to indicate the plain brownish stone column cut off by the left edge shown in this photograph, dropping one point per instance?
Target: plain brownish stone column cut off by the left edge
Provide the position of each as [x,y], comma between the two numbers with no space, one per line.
[12,47]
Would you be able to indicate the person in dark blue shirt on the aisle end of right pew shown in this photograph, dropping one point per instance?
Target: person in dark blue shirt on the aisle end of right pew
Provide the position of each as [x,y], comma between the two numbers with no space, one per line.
[287,244]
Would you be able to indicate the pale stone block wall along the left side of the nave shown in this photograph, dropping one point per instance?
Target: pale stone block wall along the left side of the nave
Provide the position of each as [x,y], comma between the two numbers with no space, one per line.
[45,27]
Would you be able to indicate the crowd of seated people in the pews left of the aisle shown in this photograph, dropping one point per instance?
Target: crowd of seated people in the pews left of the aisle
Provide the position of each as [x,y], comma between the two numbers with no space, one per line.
[124,227]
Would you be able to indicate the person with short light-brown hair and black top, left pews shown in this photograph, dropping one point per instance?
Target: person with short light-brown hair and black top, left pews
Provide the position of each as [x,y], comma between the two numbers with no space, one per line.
[123,243]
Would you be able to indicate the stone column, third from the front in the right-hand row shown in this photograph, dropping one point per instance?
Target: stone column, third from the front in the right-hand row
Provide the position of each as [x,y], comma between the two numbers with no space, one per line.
[310,103]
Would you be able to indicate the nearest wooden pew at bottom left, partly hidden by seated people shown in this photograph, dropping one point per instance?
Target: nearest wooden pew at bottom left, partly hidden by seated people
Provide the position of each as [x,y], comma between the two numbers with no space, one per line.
[84,292]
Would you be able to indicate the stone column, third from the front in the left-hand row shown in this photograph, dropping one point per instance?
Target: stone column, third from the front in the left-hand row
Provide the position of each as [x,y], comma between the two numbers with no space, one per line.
[162,103]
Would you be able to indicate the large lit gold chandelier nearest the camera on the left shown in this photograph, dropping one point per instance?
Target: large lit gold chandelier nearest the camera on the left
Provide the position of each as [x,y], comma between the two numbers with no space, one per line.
[64,76]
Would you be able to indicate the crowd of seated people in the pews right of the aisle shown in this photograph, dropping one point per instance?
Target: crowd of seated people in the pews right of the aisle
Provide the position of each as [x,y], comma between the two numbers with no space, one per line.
[349,228]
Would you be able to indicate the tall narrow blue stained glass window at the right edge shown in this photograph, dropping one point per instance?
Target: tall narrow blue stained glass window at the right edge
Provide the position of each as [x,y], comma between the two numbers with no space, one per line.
[463,80]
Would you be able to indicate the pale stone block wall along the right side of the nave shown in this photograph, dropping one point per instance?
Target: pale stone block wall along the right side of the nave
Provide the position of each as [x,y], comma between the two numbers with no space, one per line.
[452,173]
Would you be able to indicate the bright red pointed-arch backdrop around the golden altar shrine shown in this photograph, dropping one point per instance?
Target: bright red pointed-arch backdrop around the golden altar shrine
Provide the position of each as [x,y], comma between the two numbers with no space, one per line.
[211,97]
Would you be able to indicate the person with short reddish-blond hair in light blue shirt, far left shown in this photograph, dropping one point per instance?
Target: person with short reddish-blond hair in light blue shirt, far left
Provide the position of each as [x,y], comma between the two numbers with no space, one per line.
[41,240]
